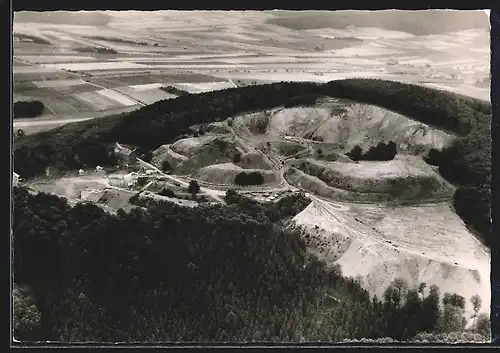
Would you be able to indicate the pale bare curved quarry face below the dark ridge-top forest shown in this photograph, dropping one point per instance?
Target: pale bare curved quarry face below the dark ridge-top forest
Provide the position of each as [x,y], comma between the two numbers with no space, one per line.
[359,124]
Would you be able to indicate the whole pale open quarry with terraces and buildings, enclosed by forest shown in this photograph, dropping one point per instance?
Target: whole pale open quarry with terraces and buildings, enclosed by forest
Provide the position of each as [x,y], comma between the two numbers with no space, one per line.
[379,220]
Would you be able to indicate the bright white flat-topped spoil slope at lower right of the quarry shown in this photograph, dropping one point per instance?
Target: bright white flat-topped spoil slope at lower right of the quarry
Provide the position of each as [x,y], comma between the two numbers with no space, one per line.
[426,243]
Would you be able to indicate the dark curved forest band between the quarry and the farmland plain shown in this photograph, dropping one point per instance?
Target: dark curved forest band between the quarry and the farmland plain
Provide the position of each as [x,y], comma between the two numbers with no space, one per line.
[466,164]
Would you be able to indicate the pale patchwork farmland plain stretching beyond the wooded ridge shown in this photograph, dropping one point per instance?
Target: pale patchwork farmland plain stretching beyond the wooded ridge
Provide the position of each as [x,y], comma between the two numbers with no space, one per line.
[196,55]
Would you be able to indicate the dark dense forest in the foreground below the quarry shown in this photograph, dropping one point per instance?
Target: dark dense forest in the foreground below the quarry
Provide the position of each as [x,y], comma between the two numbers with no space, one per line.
[228,273]
